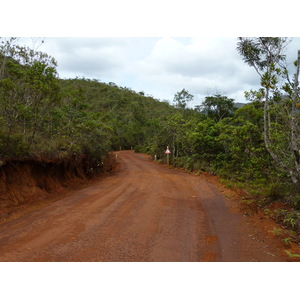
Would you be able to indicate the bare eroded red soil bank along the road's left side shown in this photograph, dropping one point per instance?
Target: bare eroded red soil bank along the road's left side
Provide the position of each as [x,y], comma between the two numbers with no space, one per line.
[28,183]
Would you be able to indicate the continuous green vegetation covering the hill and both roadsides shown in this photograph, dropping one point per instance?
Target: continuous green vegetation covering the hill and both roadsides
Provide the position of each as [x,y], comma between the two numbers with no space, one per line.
[48,119]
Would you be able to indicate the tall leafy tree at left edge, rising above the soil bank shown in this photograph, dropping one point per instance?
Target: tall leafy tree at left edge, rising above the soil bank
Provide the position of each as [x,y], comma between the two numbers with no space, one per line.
[28,88]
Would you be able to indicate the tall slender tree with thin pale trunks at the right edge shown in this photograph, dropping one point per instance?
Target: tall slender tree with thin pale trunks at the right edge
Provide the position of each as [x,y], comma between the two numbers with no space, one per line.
[281,124]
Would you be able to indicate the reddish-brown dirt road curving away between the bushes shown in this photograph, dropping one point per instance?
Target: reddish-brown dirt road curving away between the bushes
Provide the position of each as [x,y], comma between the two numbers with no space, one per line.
[143,211]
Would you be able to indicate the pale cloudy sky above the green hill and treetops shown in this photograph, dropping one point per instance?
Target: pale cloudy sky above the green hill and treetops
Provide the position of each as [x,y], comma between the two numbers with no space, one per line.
[160,66]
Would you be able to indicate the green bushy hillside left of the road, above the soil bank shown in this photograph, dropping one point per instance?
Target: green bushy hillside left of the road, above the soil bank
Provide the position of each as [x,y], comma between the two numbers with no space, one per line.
[42,115]
